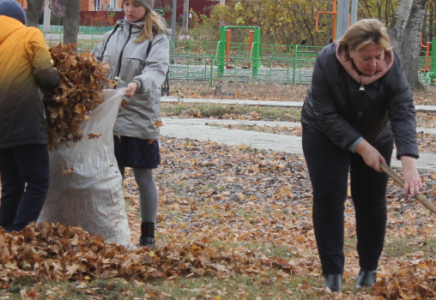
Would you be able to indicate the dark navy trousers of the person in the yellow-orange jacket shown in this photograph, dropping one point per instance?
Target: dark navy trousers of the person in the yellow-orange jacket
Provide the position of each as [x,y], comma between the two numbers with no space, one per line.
[25,179]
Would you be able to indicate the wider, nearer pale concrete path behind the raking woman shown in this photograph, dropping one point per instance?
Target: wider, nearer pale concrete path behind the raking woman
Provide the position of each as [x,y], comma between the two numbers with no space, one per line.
[197,129]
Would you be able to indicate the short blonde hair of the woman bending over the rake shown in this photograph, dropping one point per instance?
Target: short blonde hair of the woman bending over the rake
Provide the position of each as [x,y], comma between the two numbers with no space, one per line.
[363,33]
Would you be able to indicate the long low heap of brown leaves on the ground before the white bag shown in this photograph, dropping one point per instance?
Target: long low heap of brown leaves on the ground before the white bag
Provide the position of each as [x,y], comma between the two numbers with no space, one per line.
[59,252]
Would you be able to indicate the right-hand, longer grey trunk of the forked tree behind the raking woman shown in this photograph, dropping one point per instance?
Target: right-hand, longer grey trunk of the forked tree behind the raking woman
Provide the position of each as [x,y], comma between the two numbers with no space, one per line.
[412,37]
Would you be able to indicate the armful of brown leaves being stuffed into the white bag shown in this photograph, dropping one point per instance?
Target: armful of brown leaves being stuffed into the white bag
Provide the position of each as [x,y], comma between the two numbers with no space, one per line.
[80,92]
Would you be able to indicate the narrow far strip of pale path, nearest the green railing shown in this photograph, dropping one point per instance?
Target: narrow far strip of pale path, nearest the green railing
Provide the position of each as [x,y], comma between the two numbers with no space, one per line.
[264,103]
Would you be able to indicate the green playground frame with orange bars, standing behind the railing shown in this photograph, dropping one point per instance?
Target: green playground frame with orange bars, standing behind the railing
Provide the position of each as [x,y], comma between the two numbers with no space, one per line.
[223,49]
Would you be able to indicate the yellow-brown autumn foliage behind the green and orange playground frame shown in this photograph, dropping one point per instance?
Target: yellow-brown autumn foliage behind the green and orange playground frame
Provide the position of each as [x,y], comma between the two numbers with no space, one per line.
[288,22]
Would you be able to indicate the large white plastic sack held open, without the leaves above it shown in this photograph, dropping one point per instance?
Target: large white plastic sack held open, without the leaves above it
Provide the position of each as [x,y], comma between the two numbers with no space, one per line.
[85,183]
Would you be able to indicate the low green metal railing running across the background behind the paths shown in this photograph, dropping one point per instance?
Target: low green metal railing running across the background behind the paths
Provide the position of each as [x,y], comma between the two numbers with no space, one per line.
[198,60]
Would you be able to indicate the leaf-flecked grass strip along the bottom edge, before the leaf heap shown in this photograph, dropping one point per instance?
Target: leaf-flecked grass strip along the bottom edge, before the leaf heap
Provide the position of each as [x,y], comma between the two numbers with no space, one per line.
[275,285]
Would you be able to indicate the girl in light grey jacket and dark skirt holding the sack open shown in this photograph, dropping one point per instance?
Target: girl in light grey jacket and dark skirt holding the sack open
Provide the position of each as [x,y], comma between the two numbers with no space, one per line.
[138,52]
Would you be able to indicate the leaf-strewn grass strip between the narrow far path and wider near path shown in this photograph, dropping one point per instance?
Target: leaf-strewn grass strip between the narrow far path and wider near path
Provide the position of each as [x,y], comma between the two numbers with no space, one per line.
[208,110]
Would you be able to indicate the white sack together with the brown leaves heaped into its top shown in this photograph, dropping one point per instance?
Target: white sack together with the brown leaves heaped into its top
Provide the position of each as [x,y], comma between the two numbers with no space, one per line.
[85,184]
